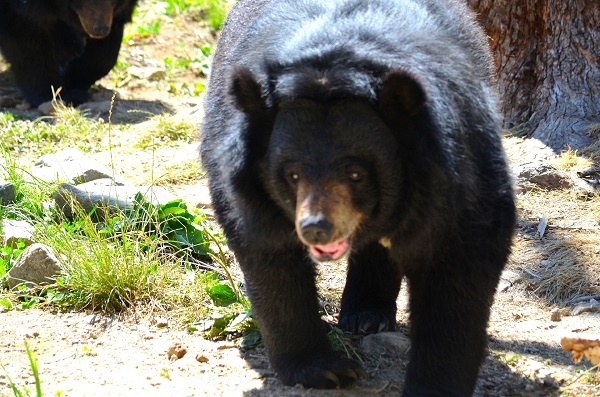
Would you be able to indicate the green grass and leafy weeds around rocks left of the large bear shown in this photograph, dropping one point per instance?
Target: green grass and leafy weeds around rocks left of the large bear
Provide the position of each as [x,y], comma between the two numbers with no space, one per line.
[146,258]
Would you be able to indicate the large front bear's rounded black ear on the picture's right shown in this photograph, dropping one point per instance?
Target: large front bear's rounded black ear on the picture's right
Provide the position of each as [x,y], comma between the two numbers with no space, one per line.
[401,95]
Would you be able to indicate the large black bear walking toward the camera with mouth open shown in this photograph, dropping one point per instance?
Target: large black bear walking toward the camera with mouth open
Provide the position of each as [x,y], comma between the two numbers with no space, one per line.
[365,129]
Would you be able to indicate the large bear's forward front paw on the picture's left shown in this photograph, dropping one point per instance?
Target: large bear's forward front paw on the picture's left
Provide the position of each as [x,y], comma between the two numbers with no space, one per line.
[326,373]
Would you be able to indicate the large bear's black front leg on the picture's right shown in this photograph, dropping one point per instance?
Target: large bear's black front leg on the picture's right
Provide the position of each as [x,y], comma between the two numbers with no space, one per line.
[450,307]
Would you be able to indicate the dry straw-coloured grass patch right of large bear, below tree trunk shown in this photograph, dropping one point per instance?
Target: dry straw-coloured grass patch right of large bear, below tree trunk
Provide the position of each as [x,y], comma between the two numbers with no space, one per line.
[565,263]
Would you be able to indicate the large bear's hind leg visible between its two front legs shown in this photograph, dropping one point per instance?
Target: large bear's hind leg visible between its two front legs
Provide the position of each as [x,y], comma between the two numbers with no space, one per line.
[372,286]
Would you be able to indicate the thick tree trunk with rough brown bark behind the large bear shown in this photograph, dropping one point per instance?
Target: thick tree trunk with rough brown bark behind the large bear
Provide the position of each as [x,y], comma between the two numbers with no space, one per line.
[548,57]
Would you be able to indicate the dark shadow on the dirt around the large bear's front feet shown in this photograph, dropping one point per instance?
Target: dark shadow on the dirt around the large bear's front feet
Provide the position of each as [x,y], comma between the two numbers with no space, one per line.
[499,375]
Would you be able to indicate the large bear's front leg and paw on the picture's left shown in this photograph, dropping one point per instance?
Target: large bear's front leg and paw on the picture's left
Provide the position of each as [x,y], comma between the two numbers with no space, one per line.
[282,290]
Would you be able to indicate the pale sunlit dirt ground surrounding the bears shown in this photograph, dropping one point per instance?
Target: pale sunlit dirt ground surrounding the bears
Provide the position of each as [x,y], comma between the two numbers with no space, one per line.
[90,354]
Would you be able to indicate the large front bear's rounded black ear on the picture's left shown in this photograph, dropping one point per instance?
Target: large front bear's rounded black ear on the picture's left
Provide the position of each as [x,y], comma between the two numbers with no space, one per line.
[246,90]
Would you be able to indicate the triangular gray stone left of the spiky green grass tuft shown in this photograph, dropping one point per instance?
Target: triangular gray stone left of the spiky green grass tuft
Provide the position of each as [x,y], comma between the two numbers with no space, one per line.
[37,265]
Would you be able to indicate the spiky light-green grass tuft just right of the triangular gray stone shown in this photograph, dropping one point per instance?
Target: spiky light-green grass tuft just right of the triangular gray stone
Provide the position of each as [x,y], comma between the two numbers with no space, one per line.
[109,274]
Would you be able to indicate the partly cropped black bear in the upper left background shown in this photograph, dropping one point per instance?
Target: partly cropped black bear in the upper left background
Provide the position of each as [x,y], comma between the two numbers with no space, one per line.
[61,43]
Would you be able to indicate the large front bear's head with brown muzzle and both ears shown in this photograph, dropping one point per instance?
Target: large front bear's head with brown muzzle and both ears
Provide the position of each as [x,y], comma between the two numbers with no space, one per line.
[333,163]
